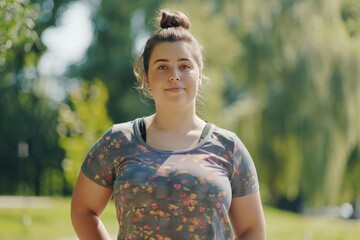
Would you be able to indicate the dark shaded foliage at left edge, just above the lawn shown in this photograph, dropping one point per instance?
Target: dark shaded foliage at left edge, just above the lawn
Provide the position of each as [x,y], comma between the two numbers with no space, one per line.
[30,119]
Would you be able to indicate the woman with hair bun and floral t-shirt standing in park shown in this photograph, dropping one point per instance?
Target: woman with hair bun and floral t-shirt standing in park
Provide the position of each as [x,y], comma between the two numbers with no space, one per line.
[172,174]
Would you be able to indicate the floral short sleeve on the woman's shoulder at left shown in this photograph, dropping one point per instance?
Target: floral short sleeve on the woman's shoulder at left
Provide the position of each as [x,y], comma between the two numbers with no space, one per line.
[98,164]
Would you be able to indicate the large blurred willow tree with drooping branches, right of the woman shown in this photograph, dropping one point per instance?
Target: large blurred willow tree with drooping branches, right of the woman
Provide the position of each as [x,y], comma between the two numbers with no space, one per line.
[299,78]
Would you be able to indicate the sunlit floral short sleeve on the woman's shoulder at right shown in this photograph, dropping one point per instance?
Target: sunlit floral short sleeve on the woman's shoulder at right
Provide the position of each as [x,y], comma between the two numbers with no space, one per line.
[244,179]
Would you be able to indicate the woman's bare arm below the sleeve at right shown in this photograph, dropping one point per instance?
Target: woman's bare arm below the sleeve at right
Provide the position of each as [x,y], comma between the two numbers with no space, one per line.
[247,217]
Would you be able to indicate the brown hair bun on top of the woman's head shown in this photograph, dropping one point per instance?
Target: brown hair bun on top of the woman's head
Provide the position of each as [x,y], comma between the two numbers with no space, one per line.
[175,19]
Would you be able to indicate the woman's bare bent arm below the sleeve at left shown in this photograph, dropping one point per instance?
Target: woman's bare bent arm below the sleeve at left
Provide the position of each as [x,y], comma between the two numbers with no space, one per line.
[88,202]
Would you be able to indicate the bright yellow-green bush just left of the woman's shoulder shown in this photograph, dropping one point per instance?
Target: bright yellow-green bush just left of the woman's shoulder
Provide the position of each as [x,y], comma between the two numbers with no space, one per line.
[81,123]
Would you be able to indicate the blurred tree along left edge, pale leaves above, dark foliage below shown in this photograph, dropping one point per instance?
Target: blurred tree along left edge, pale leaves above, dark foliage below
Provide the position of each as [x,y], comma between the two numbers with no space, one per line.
[29,151]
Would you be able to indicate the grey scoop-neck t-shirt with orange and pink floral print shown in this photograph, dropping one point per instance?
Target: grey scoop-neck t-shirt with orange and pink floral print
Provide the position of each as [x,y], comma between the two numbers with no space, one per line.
[172,194]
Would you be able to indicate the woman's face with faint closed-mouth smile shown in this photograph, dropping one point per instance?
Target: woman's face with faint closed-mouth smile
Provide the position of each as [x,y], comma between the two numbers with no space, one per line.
[173,77]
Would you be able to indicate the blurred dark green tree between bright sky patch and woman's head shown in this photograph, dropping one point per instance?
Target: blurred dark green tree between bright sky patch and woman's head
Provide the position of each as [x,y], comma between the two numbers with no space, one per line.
[120,28]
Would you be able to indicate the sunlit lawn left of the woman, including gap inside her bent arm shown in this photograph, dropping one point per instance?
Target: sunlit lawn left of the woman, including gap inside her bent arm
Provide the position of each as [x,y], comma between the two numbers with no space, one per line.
[49,223]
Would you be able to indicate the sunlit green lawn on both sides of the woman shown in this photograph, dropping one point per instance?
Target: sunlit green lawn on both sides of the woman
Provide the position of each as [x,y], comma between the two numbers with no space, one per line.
[53,223]
